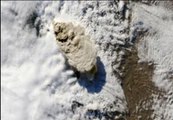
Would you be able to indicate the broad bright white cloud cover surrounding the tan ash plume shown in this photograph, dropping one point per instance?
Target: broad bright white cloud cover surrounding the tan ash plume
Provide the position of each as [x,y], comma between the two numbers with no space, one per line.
[36,84]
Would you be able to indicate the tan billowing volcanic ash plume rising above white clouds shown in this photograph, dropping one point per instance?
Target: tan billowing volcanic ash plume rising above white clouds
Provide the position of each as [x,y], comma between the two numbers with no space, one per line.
[77,47]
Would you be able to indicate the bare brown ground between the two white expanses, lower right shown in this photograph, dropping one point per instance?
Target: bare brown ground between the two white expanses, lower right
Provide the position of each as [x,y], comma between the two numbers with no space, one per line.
[138,86]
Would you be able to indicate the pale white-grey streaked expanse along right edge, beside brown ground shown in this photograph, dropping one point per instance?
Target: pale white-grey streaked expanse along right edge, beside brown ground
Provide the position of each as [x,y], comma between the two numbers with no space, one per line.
[156,46]
